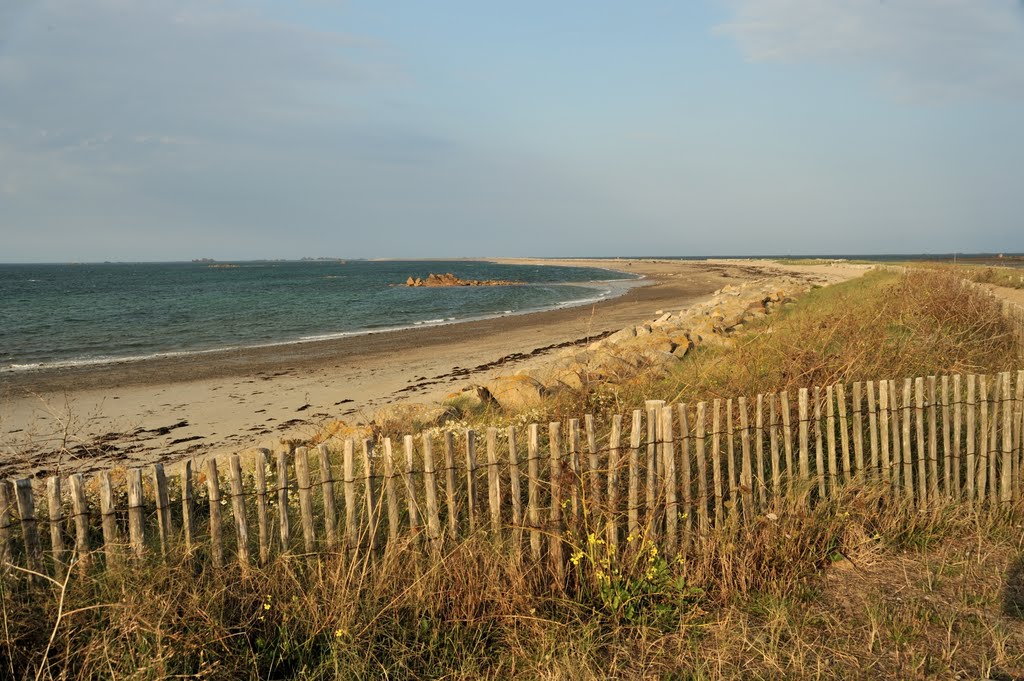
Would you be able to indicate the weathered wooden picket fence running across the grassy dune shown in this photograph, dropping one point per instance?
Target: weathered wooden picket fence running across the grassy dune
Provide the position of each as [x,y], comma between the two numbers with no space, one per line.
[667,473]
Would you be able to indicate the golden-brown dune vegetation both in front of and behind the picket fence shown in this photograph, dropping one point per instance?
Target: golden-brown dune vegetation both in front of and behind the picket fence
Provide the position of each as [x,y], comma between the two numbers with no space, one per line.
[859,586]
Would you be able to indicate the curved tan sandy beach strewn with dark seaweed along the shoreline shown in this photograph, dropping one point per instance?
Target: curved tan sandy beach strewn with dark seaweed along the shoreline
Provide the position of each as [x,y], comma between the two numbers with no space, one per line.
[88,418]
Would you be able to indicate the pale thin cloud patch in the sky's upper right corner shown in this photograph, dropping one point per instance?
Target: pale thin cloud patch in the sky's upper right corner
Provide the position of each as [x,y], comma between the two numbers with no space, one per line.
[923,48]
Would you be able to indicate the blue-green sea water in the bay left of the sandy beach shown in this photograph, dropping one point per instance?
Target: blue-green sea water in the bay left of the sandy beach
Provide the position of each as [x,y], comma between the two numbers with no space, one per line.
[55,316]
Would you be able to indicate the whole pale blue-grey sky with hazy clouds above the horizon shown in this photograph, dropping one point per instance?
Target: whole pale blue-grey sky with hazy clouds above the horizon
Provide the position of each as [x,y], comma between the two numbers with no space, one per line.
[160,131]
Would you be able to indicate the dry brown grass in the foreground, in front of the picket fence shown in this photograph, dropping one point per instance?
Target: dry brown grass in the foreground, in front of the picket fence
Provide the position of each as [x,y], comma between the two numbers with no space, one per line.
[861,587]
